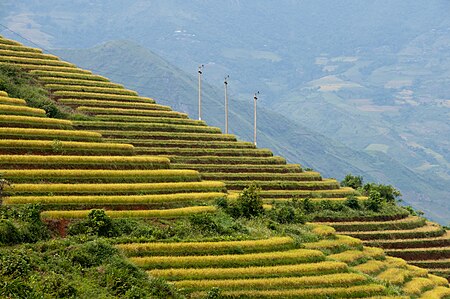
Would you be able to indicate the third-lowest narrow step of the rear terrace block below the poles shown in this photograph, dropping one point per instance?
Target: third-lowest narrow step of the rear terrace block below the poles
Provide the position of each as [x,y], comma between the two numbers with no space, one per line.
[307,176]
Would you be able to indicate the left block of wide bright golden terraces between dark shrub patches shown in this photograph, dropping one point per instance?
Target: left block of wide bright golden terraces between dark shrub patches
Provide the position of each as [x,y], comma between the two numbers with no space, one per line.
[70,171]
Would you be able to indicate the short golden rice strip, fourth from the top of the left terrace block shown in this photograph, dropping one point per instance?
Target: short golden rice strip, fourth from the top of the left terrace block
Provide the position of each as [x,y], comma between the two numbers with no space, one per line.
[17,120]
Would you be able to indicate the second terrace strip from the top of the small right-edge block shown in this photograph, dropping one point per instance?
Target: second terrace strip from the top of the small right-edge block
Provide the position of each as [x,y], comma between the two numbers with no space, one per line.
[410,222]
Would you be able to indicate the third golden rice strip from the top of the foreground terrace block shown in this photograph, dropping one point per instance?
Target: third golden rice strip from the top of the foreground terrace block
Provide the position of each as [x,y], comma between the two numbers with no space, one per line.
[251,272]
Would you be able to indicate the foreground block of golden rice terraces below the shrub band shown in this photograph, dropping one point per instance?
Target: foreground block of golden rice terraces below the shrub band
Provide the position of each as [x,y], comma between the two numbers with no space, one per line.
[337,266]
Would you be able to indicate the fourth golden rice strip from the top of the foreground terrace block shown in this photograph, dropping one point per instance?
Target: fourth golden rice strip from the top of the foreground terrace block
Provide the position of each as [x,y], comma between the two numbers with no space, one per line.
[342,279]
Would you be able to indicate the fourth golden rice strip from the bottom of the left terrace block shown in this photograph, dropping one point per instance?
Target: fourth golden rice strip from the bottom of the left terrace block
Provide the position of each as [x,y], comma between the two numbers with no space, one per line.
[158,175]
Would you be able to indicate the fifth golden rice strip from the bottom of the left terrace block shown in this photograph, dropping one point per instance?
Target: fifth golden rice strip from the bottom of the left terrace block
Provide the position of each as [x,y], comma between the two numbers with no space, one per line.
[107,162]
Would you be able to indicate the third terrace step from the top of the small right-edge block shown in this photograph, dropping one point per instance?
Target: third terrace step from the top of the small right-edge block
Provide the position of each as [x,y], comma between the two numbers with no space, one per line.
[430,230]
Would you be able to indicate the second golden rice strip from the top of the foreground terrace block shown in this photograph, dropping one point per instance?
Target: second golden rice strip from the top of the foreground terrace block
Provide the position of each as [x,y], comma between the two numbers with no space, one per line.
[230,260]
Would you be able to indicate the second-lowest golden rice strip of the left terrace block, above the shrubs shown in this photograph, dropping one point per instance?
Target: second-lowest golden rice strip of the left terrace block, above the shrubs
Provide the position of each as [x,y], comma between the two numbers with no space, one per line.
[113,200]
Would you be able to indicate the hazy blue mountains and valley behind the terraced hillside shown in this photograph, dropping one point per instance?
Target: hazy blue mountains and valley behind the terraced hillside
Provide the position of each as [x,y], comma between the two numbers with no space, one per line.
[347,86]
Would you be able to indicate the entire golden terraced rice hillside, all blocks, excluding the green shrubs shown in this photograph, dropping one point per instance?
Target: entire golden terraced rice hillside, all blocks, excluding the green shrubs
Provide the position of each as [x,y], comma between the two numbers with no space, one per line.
[136,158]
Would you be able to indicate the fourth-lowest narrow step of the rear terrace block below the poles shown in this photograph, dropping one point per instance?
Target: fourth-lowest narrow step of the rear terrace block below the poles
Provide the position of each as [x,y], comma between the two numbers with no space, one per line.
[206,169]
